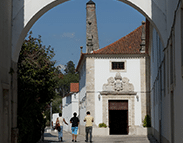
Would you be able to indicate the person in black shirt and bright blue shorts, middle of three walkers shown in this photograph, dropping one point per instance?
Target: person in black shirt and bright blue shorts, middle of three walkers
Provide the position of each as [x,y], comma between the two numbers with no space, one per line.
[75,121]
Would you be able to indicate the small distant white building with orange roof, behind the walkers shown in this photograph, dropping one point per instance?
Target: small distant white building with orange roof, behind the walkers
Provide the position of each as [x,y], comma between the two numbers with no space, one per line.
[70,104]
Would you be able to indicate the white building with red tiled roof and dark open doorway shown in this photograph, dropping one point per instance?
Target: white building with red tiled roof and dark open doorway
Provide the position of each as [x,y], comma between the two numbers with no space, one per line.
[113,85]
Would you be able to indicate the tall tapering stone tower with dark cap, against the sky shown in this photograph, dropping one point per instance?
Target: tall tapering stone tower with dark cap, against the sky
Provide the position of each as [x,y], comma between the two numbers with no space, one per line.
[92,42]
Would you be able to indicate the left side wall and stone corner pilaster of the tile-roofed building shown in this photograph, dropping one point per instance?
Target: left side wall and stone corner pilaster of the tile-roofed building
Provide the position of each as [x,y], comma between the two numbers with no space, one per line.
[87,99]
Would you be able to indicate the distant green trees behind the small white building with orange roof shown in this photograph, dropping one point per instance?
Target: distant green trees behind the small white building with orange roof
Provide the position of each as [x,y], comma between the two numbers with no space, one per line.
[70,76]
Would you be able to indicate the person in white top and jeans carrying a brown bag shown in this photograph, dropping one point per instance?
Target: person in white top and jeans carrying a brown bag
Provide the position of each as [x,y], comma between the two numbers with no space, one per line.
[59,126]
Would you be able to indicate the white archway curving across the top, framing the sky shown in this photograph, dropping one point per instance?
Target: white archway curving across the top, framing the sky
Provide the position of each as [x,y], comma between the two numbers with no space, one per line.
[26,13]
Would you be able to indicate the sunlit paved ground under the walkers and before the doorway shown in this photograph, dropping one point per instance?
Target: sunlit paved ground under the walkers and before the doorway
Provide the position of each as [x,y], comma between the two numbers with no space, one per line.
[52,137]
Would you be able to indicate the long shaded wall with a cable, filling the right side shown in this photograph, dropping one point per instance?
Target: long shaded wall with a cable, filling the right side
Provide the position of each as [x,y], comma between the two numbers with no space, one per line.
[166,78]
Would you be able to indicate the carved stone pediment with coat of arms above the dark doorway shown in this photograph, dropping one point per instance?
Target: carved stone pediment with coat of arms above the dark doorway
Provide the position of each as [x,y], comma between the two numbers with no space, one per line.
[118,85]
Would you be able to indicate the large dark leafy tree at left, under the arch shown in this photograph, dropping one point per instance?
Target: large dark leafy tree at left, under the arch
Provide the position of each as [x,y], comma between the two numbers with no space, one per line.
[37,81]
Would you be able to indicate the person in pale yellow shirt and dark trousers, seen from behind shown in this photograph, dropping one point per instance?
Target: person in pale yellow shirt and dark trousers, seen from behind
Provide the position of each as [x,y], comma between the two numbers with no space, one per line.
[88,127]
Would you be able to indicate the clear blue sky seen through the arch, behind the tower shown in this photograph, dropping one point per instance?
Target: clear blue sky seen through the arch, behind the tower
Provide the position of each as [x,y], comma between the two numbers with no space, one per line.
[64,26]
